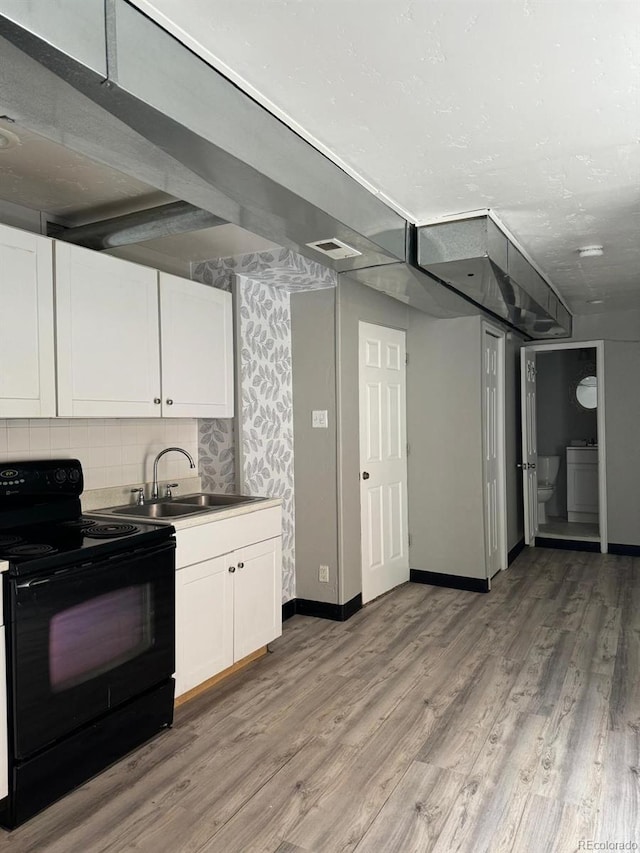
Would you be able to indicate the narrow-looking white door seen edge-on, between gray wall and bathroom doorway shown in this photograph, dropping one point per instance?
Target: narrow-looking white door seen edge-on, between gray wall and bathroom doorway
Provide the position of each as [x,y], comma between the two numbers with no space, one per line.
[493,451]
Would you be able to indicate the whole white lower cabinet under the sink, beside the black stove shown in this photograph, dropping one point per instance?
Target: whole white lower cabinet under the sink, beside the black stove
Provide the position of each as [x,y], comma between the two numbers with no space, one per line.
[227,605]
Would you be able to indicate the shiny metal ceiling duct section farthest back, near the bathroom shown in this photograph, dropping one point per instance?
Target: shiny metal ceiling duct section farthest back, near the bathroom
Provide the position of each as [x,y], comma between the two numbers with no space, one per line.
[476,259]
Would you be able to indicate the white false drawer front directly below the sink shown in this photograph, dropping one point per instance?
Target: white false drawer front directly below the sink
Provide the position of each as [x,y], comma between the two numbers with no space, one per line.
[219,537]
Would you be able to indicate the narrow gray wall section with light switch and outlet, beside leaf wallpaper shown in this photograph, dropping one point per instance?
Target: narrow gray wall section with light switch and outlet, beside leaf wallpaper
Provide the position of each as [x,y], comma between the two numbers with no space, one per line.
[315,462]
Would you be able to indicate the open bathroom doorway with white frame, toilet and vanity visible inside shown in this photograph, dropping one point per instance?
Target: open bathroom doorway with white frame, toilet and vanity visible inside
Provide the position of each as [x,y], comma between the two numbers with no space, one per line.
[563,443]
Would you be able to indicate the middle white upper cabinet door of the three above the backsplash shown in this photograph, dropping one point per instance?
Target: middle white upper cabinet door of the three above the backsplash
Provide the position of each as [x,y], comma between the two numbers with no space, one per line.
[107,336]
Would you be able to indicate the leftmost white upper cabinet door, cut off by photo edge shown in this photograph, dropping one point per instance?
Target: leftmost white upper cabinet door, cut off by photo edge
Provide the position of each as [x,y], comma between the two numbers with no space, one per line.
[27,377]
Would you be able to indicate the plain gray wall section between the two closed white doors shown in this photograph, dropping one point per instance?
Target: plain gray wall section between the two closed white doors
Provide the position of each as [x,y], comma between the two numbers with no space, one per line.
[445,465]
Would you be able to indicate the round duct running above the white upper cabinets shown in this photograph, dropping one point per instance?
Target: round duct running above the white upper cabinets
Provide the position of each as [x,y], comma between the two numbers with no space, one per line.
[162,221]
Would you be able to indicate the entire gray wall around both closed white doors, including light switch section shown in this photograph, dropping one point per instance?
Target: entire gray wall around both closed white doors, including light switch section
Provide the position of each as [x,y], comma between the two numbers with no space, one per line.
[444,432]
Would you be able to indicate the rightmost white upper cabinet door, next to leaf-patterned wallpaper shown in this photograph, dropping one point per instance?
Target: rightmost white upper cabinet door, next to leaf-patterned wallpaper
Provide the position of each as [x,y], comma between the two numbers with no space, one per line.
[197,349]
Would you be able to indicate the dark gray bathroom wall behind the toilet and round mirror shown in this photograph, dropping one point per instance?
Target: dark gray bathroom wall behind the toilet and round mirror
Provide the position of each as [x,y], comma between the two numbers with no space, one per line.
[559,420]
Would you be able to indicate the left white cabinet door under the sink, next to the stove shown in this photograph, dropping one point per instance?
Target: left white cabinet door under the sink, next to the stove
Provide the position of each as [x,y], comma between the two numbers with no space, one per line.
[204,627]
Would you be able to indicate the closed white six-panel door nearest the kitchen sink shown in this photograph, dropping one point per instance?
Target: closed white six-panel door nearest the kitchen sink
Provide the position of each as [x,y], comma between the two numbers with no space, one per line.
[383,459]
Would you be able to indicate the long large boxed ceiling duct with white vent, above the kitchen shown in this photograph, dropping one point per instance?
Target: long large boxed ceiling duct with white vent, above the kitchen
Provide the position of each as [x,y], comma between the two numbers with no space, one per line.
[196,136]
